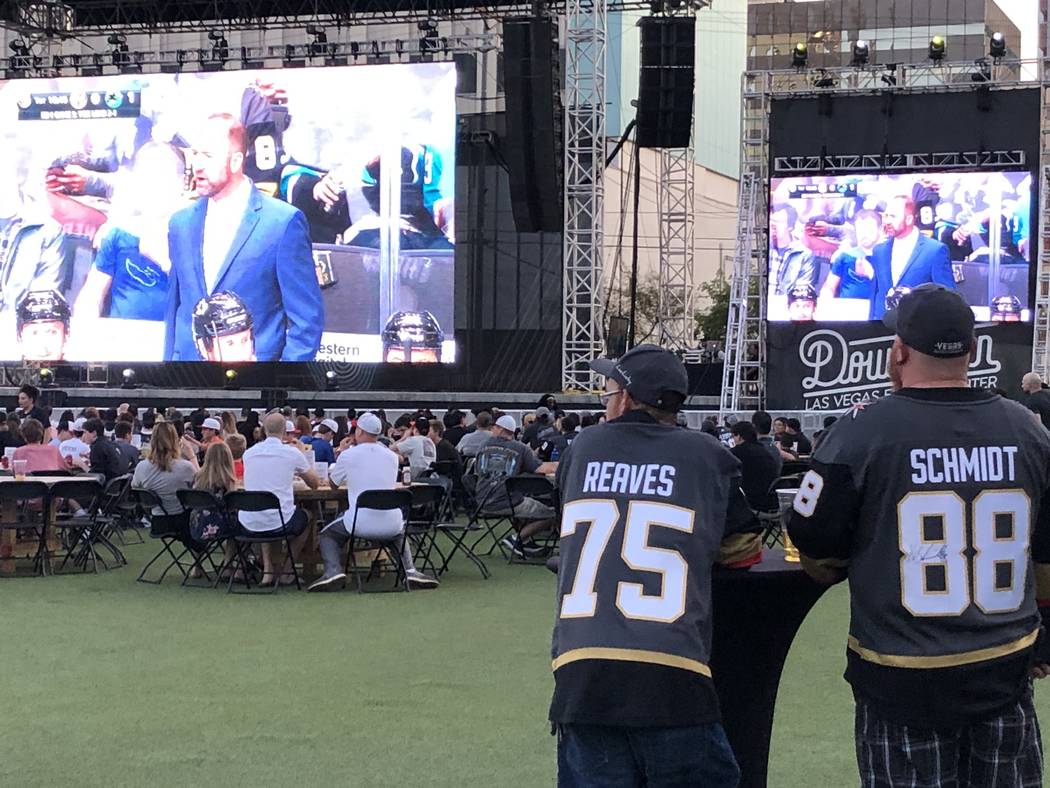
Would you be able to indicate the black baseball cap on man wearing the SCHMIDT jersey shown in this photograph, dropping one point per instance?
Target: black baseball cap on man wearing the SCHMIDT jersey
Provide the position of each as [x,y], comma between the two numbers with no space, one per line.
[934,321]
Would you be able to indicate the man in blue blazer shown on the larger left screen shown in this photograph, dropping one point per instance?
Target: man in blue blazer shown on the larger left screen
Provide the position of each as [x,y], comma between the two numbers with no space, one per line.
[237,240]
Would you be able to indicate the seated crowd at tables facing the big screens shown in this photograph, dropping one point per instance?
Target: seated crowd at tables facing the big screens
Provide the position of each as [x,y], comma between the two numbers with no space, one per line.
[470,454]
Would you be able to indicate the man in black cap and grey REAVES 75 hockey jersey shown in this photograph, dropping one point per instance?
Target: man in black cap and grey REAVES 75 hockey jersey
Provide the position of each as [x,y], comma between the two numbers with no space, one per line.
[645,511]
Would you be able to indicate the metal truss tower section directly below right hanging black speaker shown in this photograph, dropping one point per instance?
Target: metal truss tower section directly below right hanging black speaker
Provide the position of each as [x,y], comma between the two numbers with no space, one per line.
[676,172]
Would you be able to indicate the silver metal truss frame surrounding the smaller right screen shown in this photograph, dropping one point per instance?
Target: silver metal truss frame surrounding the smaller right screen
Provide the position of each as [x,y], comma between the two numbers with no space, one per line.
[744,377]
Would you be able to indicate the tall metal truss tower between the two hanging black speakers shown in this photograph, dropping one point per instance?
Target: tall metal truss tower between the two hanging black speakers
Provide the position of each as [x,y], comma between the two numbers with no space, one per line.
[585,47]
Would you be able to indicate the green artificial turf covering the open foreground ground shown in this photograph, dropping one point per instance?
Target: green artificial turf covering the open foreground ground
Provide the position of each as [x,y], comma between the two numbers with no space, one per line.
[108,682]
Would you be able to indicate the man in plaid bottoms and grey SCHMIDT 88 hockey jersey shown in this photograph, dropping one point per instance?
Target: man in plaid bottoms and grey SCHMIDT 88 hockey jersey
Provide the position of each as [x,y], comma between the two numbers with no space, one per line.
[932,501]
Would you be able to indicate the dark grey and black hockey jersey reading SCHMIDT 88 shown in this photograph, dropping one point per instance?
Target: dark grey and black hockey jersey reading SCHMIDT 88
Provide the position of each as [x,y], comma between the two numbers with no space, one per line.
[933,500]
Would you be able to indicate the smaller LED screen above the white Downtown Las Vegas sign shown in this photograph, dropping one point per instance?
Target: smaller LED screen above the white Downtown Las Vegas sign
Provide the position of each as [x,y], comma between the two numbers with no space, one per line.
[849,247]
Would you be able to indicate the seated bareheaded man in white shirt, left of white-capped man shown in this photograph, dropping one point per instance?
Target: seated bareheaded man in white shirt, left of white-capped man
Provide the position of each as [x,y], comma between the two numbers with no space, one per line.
[272,466]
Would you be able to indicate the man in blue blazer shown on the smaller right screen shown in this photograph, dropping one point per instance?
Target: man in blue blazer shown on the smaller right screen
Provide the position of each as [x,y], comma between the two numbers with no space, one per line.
[908,259]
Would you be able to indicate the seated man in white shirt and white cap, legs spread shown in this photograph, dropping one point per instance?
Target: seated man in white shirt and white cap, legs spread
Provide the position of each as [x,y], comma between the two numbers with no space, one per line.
[367,466]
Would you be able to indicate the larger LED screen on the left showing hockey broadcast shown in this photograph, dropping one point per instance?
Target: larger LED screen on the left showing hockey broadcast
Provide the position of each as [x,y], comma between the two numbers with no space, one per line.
[297,215]
